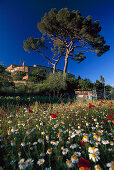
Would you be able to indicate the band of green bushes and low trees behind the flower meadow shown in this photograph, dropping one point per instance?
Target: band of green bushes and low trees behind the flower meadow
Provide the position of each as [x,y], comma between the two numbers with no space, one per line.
[41,83]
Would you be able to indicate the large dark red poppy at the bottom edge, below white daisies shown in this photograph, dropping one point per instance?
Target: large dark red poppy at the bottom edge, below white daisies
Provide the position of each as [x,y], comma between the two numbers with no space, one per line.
[84,163]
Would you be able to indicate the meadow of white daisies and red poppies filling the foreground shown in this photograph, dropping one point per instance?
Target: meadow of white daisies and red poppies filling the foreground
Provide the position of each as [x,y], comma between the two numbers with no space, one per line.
[76,135]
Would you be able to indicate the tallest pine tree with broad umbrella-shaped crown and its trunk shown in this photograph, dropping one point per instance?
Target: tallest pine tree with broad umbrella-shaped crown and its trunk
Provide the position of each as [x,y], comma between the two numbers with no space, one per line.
[76,34]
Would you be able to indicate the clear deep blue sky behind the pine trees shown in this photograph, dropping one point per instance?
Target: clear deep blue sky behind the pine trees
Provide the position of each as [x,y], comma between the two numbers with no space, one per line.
[18,21]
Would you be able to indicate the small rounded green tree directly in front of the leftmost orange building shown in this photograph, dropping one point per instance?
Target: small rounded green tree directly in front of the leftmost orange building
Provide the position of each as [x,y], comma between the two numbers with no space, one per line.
[18,75]
